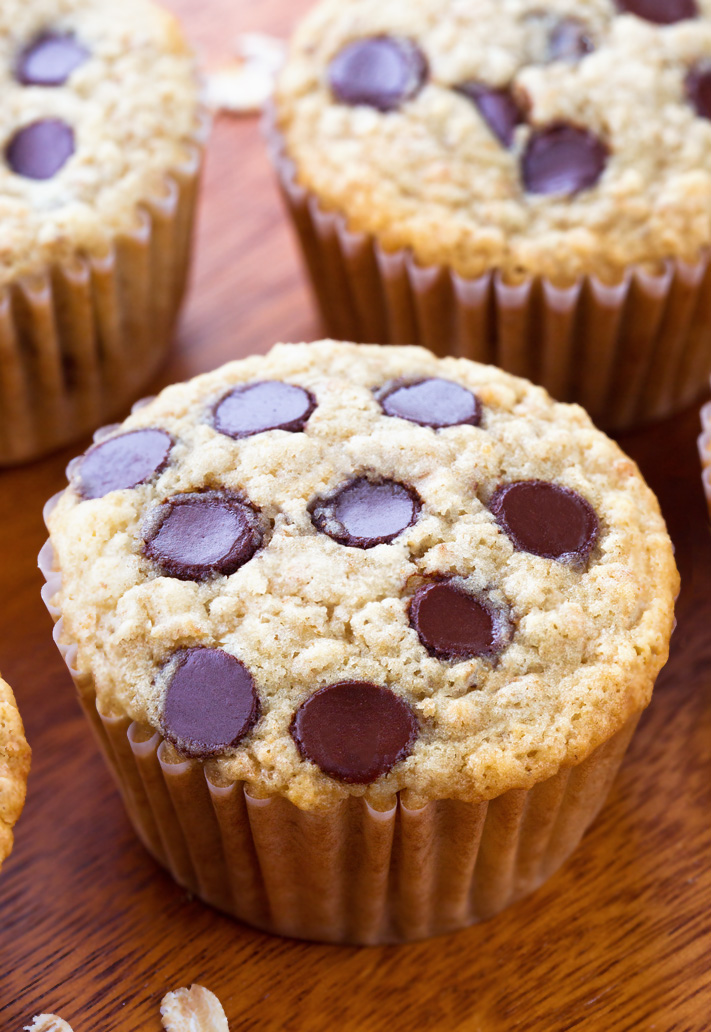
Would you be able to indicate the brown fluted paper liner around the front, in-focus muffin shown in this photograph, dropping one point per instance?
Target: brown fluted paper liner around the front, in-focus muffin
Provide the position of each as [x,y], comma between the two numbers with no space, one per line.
[350,874]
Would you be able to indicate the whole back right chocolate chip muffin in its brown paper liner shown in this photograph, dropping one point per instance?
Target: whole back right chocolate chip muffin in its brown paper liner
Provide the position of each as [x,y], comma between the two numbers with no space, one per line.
[511,182]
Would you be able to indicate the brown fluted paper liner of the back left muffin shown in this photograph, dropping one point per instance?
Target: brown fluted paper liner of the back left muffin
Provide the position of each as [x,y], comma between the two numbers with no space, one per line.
[79,340]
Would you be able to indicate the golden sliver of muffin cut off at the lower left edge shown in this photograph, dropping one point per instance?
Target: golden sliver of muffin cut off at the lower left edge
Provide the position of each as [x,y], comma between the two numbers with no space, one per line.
[15,767]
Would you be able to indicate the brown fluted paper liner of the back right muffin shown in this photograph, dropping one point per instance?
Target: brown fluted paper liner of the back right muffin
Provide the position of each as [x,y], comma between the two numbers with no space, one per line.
[631,352]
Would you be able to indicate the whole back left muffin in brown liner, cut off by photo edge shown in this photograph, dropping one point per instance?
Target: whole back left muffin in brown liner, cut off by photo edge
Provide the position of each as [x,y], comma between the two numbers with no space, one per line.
[101,137]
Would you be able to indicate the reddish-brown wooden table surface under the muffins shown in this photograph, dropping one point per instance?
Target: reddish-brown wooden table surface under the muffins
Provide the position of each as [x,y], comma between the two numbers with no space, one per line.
[90,928]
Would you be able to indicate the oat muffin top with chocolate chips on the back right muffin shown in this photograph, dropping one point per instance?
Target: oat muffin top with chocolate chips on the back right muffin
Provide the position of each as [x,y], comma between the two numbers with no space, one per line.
[553,138]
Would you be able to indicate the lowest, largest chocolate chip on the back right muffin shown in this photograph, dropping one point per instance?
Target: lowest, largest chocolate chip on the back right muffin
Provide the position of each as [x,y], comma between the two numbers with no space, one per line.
[563,160]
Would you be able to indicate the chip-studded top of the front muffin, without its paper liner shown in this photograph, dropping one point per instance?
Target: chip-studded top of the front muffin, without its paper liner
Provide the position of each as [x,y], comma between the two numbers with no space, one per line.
[343,570]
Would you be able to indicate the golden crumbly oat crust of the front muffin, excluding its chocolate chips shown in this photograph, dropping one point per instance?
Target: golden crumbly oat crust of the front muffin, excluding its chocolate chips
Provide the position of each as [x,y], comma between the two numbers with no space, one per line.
[306,611]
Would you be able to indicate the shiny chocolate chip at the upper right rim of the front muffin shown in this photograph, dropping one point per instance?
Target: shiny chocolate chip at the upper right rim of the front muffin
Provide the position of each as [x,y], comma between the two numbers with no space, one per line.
[432,403]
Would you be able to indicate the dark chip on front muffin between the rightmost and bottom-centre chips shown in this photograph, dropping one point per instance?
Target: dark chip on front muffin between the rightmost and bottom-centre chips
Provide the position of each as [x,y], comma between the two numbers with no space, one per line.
[453,624]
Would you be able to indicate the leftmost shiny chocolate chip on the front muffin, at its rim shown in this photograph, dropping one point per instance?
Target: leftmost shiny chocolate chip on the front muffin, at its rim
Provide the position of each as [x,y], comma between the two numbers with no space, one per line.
[123,462]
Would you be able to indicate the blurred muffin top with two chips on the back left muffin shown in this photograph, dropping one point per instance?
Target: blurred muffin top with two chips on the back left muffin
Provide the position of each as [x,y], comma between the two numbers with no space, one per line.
[101,103]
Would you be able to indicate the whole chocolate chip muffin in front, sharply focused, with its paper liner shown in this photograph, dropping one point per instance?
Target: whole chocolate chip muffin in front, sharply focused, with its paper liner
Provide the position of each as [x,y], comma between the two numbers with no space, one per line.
[365,633]
